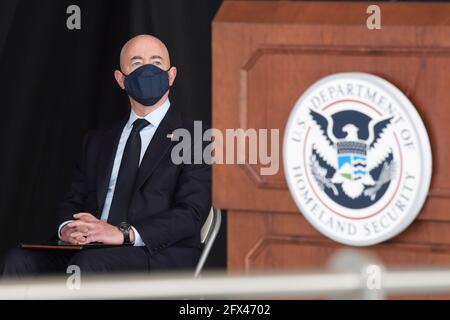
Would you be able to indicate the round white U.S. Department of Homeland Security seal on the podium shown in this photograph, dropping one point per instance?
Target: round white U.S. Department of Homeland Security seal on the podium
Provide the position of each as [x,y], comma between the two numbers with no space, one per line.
[357,158]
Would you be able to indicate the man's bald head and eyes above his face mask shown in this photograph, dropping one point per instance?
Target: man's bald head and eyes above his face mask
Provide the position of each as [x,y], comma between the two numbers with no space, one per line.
[144,49]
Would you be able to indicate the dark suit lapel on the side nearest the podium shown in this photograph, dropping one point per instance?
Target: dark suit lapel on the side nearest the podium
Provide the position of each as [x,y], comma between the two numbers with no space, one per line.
[159,145]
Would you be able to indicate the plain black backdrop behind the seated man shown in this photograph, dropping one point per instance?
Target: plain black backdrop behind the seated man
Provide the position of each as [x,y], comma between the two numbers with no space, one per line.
[56,83]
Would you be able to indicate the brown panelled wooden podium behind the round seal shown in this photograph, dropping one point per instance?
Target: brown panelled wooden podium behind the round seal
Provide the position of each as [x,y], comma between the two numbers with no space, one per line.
[265,55]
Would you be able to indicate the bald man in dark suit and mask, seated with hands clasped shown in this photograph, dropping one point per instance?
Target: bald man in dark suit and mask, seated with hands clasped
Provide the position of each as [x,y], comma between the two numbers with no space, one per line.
[126,188]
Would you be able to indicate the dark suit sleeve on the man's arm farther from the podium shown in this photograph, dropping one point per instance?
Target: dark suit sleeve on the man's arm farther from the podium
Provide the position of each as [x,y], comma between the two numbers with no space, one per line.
[74,200]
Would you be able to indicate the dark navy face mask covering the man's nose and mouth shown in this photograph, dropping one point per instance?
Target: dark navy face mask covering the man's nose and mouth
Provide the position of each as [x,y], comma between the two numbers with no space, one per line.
[147,84]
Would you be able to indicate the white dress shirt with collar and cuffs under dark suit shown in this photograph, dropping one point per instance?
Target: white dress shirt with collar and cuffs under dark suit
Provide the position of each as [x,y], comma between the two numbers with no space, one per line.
[154,118]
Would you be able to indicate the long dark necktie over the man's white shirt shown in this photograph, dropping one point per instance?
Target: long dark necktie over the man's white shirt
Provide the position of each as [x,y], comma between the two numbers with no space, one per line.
[127,175]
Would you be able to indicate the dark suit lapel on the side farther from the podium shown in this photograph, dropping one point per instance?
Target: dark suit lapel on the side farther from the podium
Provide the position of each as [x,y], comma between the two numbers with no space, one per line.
[106,161]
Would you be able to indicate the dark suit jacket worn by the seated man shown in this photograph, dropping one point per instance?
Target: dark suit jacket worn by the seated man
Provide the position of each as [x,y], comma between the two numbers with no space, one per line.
[170,202]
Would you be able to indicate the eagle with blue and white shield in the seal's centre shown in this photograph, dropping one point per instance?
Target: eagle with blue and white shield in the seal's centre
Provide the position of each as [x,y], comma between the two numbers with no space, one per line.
[357,165]
